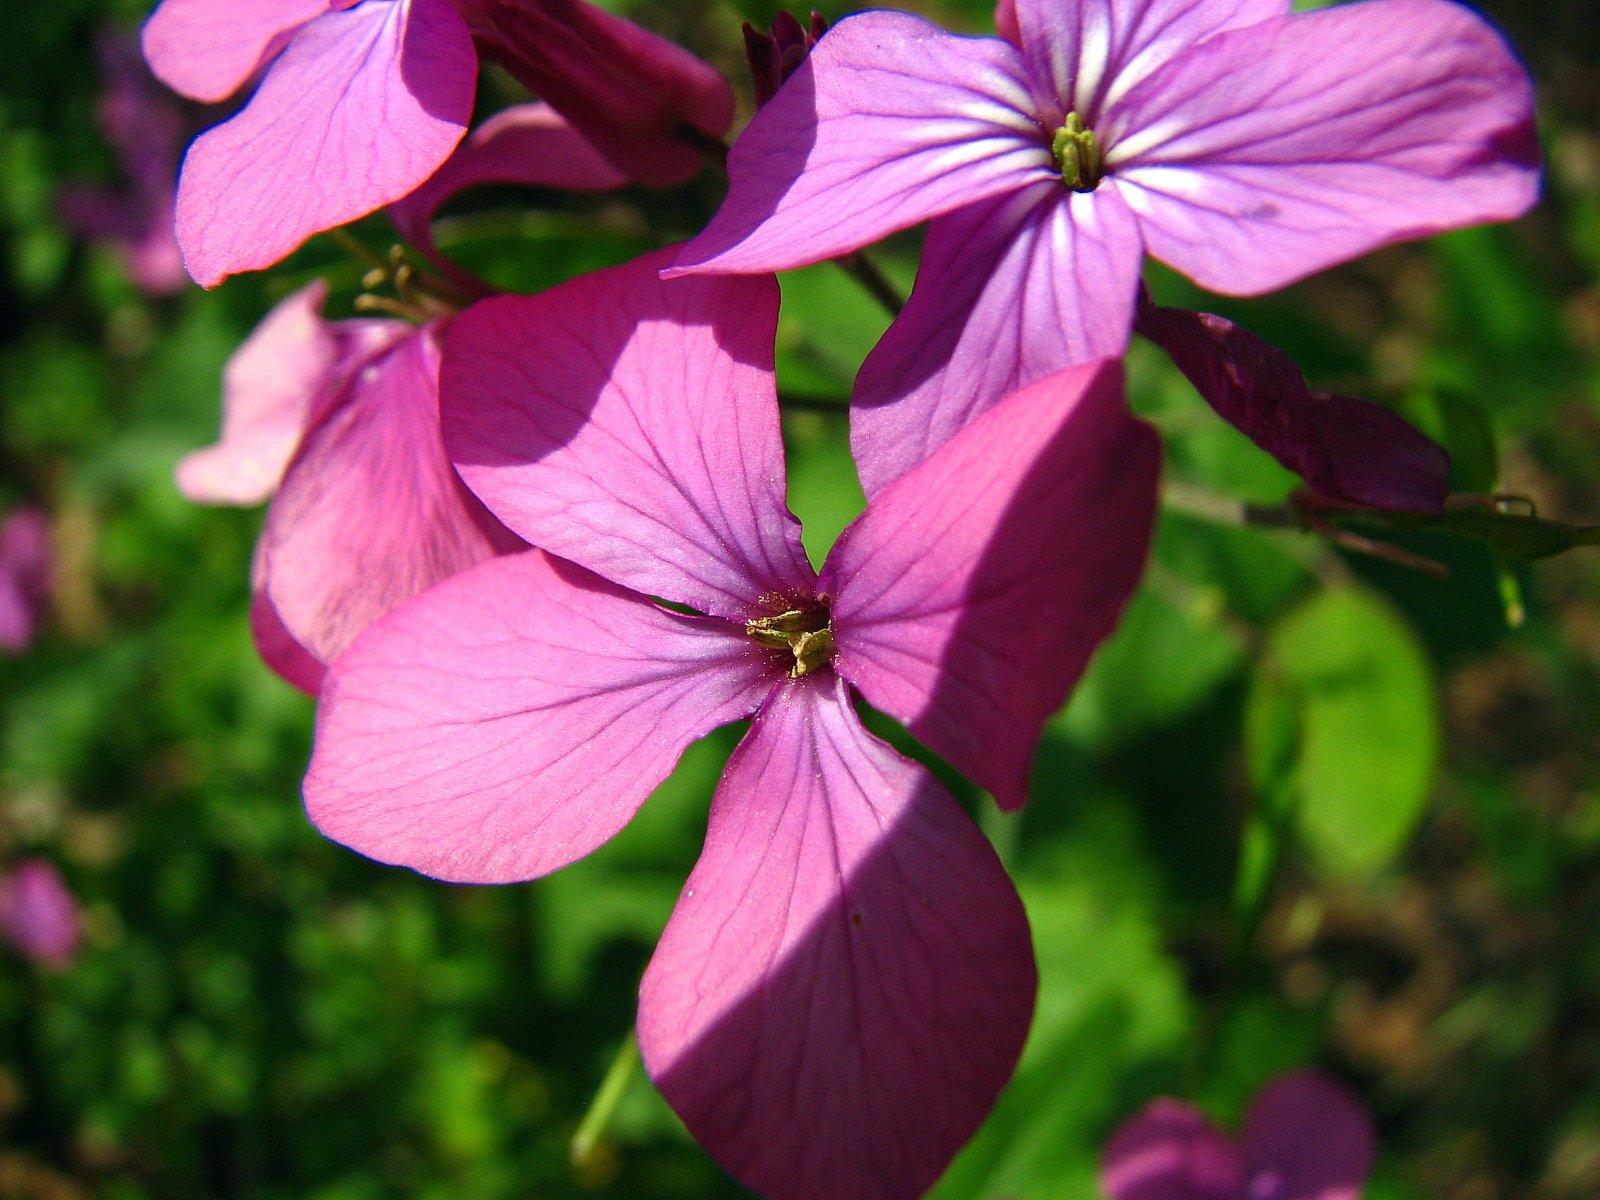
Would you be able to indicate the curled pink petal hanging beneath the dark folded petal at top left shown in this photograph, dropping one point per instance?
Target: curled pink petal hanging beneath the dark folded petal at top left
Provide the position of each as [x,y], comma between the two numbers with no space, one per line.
[527,145]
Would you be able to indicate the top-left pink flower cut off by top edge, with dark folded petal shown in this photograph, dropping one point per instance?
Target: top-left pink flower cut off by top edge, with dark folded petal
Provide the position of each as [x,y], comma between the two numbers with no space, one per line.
[362,100]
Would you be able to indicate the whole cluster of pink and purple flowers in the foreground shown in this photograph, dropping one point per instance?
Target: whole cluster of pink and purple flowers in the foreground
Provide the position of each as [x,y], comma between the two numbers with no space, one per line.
[526,550]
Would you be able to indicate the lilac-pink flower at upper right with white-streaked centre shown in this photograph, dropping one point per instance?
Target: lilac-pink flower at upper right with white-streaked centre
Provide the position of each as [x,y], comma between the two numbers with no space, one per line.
[1231,140]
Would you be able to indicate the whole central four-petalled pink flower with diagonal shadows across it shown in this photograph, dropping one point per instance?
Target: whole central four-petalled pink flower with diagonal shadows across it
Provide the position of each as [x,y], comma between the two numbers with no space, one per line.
[847,978]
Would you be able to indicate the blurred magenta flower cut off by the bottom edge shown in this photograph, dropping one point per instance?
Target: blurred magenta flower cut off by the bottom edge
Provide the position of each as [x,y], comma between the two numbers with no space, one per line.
[1305,1138]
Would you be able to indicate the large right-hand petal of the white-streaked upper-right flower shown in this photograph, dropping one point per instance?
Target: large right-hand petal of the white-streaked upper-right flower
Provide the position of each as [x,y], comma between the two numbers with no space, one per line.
[1276,151]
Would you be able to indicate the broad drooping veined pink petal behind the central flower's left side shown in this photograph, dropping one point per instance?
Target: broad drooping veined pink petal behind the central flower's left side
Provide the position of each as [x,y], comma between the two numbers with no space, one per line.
[370,511]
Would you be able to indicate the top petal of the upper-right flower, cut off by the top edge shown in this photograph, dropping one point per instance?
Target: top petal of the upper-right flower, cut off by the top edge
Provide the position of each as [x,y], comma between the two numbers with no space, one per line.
[1086,55]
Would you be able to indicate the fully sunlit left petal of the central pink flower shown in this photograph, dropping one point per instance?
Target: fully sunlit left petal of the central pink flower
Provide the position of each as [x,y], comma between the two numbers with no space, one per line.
[516,718]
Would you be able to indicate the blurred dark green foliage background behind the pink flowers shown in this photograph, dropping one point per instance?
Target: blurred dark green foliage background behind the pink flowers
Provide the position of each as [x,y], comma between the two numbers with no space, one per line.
[1308,807]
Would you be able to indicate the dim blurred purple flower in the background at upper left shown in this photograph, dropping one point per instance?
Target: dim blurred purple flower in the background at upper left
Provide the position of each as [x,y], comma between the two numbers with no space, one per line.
[146,130]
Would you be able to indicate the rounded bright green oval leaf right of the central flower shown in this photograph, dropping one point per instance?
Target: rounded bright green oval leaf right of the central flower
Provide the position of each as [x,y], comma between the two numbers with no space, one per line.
[1343,727]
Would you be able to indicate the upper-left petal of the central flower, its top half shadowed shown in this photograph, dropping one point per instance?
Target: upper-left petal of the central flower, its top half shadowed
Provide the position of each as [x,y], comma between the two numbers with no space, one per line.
[631,425]
